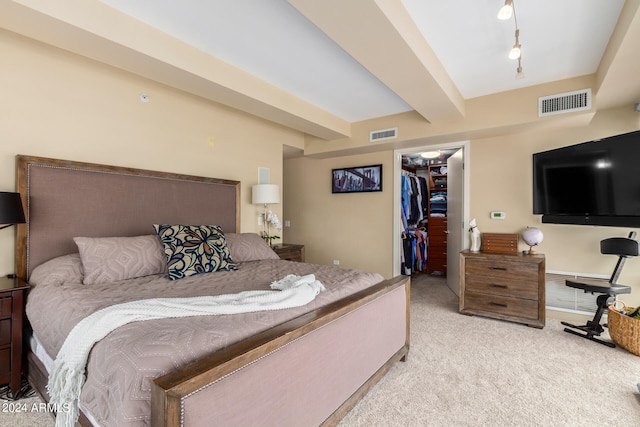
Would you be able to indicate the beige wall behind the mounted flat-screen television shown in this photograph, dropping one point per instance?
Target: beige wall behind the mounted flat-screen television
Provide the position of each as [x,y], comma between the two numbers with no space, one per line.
[501,180]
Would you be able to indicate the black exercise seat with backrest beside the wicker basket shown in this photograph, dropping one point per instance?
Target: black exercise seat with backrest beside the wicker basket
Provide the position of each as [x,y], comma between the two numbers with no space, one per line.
[624,247]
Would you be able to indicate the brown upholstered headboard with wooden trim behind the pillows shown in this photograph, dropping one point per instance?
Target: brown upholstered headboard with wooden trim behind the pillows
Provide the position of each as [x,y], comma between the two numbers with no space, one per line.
[65,199]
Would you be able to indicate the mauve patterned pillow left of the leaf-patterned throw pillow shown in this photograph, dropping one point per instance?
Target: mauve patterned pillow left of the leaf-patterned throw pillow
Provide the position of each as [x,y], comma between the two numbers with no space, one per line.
[111,259]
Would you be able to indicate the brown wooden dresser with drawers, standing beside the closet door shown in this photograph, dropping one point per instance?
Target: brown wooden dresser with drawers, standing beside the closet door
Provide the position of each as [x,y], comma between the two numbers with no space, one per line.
[503,286]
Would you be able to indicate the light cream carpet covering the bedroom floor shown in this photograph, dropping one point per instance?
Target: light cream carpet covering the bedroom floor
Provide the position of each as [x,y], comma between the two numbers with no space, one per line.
[473,371]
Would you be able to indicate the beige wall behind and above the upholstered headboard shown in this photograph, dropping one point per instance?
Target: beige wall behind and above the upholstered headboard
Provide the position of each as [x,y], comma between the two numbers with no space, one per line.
[57,104]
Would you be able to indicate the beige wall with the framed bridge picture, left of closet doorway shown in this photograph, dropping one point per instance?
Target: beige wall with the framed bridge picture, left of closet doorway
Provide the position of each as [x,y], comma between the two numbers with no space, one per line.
[354,228]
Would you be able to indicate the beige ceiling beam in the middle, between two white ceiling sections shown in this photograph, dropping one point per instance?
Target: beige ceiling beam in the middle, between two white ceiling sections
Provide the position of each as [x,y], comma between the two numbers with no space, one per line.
[382,37]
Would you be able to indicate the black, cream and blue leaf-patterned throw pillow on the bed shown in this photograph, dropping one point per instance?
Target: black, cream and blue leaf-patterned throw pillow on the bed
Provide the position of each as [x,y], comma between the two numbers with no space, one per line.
[194,249]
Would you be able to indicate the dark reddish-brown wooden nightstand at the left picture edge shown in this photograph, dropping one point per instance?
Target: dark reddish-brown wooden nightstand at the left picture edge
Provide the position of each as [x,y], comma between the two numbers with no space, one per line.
[11,314]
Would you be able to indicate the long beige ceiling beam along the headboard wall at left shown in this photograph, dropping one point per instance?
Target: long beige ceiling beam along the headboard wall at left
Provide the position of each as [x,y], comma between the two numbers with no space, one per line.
[97,31]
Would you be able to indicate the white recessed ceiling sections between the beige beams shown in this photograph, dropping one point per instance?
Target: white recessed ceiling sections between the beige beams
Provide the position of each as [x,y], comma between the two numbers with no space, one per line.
[272,40]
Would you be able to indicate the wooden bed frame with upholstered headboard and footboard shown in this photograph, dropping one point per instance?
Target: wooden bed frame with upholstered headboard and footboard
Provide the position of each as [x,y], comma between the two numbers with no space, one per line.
[378,315]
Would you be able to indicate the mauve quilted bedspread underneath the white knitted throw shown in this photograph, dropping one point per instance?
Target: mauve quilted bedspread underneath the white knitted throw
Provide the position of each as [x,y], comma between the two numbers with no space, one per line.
[121,366]
